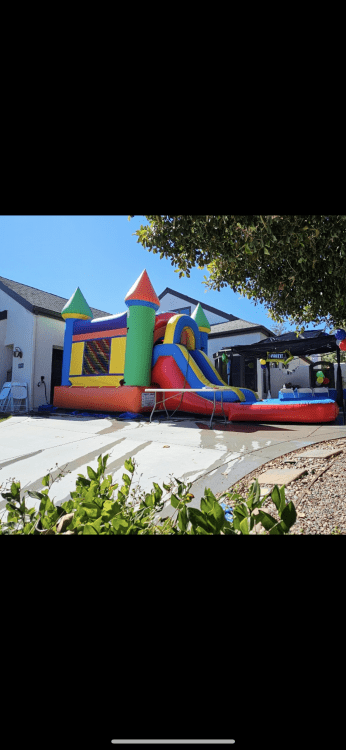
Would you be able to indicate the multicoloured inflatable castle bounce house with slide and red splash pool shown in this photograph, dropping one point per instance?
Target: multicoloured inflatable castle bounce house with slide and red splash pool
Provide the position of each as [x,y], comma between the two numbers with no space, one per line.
[108,363]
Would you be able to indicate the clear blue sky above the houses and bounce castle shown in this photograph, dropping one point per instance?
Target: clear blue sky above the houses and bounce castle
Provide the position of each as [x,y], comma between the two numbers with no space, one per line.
[101,256]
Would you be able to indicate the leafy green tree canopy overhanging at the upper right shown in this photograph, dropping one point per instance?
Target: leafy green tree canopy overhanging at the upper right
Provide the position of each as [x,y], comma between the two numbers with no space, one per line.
[294,265]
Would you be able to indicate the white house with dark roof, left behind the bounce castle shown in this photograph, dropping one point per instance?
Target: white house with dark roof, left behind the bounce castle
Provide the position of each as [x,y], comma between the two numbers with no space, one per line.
[31,326]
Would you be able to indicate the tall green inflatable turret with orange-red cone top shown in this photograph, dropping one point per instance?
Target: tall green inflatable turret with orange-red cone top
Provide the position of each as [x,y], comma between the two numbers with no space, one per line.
[142,302]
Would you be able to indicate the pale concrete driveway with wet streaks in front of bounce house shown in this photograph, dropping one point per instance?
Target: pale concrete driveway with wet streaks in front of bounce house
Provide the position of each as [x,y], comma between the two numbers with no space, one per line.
[31,446]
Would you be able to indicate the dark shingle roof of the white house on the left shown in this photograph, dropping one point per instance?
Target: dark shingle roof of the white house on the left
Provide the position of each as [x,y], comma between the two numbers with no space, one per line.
[39,302]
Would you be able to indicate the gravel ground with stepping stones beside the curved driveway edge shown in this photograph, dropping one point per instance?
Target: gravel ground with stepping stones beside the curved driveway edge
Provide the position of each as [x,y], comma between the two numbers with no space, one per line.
[319,496]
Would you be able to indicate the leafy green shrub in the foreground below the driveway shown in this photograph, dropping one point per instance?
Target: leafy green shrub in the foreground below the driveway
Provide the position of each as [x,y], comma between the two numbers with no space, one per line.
[94,509]
